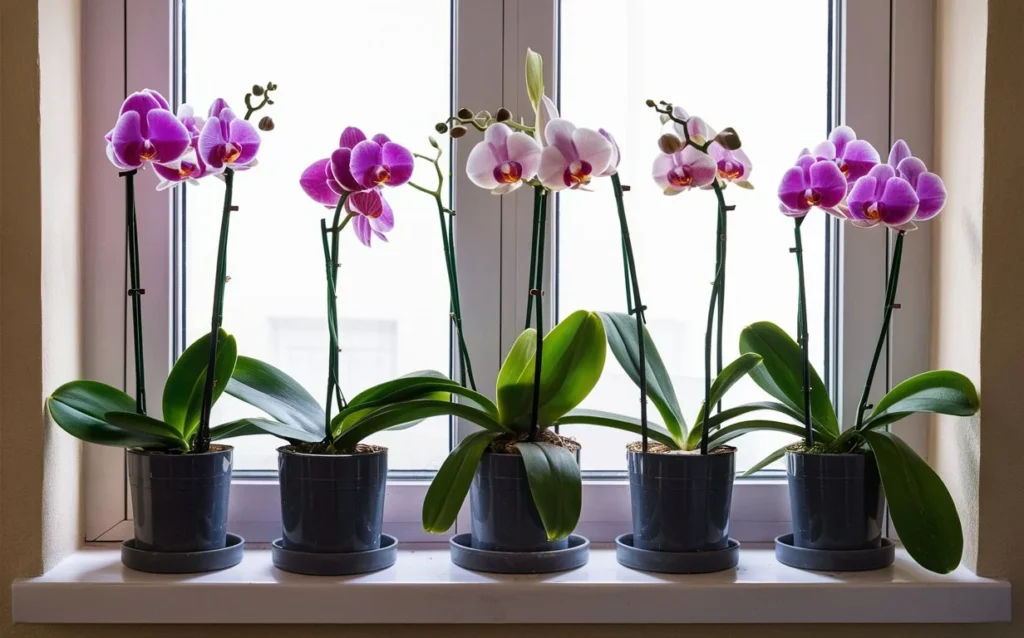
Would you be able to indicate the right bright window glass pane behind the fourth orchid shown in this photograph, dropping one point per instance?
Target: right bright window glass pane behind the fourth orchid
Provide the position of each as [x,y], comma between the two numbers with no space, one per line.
[718,61]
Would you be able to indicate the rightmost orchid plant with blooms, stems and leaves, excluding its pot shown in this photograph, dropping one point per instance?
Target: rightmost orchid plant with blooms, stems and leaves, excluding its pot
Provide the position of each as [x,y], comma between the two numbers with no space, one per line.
[844,178]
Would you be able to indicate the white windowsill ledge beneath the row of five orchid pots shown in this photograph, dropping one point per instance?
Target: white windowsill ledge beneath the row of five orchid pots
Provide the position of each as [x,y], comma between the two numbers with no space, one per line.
[424,587]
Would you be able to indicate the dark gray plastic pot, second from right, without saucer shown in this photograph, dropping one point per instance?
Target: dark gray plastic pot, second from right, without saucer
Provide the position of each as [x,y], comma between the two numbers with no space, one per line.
[681,502]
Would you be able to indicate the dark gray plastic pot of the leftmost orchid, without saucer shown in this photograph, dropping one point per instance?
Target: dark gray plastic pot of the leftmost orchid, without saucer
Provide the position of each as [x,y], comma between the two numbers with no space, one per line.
[181,500]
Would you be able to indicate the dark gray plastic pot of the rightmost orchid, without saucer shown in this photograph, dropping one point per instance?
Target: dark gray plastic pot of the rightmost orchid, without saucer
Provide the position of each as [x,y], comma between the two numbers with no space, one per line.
[837,501]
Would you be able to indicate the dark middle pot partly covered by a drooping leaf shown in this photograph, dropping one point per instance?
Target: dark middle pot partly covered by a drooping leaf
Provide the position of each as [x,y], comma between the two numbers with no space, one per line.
[505,519]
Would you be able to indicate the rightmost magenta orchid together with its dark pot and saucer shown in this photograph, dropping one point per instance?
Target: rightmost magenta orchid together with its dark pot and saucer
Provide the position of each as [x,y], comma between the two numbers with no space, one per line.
[838,478]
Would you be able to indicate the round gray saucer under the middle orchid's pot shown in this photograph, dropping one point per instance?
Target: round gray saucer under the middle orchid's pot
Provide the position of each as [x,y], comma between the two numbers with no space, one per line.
[470,558]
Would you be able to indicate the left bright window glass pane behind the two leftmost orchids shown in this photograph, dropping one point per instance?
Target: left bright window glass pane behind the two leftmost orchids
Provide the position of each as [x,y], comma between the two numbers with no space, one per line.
[337,66]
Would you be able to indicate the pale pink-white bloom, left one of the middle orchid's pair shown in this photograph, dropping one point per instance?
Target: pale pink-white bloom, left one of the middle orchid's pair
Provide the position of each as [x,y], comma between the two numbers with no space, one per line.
[504,161]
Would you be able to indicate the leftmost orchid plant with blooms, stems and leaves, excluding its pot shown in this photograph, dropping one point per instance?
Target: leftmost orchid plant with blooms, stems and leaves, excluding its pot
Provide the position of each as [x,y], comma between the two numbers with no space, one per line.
[183,148]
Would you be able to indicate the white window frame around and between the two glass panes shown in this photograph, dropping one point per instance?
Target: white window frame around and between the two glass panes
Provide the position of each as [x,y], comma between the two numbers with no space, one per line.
[885,63]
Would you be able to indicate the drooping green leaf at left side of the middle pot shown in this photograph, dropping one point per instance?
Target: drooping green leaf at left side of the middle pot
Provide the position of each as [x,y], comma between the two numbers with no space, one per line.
[448,490]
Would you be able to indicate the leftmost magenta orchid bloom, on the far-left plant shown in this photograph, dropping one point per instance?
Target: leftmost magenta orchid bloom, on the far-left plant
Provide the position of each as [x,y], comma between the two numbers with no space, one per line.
[146,132]
